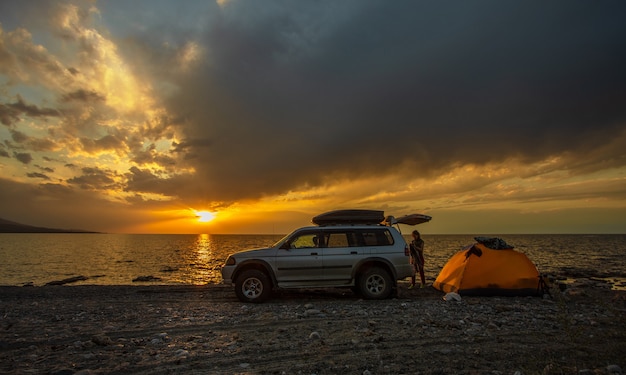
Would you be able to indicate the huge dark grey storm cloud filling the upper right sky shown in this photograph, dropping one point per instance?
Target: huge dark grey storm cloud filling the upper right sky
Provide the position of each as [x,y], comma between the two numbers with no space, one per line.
[292,92]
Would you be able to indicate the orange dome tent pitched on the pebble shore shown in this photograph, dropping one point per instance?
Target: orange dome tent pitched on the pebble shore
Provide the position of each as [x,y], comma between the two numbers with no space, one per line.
[482,270]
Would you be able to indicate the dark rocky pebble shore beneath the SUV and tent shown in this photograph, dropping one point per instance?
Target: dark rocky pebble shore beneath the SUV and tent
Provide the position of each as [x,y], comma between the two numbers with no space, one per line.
[204,330]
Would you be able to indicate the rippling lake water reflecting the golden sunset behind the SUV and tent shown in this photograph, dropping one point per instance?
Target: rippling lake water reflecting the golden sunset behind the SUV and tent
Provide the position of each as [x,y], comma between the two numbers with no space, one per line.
[117,259]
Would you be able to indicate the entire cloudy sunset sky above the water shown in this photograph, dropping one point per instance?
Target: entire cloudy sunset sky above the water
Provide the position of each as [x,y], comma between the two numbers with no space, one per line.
[141,116]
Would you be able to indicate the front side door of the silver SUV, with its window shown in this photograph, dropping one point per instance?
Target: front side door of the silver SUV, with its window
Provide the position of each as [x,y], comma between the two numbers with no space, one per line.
[299,261]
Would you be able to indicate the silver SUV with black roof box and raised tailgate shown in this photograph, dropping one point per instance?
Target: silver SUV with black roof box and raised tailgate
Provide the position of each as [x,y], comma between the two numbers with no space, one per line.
[348,248]
